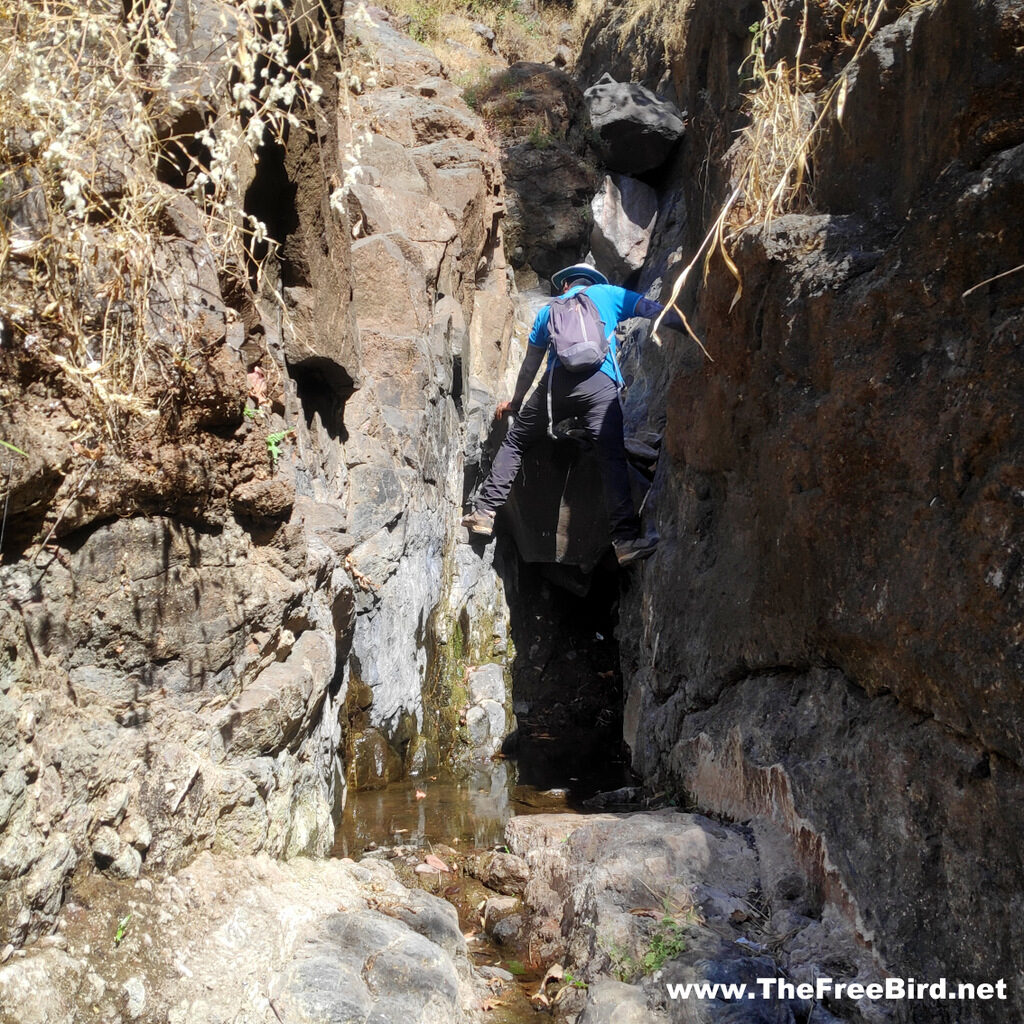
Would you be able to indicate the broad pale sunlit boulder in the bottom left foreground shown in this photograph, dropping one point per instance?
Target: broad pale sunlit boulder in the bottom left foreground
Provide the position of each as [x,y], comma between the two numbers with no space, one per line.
[251,940]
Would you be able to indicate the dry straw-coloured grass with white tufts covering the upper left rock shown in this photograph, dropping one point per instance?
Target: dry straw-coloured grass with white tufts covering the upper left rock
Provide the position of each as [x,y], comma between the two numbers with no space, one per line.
[86,96]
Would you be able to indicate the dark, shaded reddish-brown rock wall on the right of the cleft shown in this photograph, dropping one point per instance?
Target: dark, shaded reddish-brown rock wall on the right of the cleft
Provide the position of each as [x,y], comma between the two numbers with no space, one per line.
[830,634]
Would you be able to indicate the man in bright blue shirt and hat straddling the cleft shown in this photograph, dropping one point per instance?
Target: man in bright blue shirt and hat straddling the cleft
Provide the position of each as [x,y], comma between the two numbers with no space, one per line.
[593,397]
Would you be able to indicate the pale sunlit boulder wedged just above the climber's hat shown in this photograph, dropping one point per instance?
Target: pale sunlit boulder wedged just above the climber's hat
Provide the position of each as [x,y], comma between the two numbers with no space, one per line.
[625,211]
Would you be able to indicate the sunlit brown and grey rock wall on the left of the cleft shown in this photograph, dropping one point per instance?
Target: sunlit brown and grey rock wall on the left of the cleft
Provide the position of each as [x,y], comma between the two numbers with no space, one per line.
[177,661]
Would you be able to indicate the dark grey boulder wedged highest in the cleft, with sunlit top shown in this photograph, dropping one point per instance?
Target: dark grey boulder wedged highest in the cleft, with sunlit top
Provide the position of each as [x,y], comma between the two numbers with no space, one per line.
[637,131]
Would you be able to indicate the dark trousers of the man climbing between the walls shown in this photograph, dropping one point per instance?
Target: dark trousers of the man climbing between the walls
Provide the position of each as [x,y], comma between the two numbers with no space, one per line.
[595,401]
